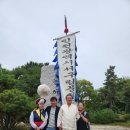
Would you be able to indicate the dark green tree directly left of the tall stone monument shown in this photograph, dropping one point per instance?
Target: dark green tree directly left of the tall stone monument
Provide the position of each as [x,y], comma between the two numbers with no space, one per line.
[28,77]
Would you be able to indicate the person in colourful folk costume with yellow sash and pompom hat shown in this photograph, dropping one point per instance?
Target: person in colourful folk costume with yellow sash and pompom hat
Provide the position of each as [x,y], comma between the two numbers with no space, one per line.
[38,117]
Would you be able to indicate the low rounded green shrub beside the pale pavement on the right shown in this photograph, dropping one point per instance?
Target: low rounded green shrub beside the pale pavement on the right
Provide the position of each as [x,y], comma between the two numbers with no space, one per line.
[104,116]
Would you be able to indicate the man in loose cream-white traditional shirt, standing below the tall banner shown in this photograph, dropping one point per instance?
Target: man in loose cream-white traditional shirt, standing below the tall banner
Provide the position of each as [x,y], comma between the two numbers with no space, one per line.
[68,115]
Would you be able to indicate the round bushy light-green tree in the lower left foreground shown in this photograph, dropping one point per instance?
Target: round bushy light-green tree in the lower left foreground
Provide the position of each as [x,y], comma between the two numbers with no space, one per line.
[14,106]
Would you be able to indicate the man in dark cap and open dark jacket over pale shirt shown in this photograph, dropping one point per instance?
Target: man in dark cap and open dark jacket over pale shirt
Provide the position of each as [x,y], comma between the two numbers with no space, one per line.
[52,111]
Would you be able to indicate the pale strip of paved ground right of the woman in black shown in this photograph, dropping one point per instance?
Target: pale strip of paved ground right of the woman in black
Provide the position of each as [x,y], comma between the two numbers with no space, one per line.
[107,127]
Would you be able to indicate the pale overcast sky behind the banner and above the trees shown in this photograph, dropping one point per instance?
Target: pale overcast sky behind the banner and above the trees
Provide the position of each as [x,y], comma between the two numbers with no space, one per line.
[27,29]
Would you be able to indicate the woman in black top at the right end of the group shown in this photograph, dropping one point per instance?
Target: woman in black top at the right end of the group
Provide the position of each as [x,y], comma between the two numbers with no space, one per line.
[83,121]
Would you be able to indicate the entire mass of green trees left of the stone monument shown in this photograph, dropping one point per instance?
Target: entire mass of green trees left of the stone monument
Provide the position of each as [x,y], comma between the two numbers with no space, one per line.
[14,103]
